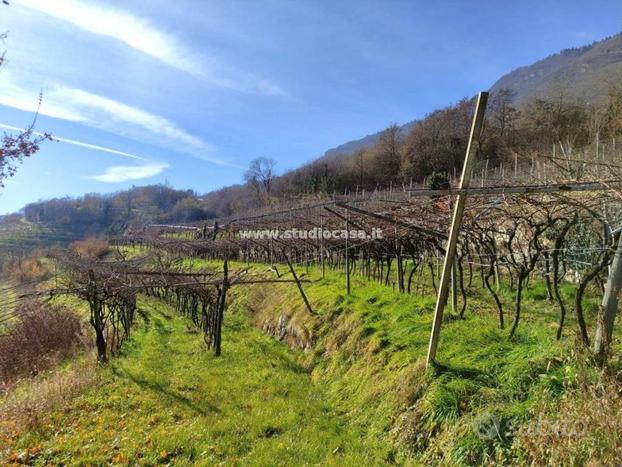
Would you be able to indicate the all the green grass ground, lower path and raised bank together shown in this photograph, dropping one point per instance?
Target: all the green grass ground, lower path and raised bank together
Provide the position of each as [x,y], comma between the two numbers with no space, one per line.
[358,394]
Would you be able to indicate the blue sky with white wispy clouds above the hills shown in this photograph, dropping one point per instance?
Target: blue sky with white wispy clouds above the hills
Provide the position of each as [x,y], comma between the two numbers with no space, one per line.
[188,92]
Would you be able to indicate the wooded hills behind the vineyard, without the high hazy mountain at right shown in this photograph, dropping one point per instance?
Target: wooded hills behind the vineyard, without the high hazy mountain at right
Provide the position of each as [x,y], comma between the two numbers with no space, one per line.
[434,145]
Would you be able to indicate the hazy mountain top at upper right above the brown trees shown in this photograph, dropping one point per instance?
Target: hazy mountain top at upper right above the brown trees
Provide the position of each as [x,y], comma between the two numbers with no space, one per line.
[584,73]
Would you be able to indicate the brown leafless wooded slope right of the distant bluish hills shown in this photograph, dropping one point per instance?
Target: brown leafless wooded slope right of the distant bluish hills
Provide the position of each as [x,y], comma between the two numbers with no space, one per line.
[436,145]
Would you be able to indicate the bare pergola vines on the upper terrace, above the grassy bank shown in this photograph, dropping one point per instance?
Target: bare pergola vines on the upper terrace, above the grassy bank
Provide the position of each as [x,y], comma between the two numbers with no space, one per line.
[559,223]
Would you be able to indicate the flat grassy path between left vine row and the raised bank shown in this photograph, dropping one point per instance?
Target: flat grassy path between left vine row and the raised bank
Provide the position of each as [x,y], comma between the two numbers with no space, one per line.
[168,400]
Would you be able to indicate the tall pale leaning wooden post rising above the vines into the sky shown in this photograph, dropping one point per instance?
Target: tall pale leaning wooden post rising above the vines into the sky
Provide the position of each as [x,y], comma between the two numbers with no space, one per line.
[450,254]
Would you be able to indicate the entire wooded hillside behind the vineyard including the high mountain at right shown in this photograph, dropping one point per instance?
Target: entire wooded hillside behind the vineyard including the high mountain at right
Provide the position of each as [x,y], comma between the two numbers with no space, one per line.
[540,106]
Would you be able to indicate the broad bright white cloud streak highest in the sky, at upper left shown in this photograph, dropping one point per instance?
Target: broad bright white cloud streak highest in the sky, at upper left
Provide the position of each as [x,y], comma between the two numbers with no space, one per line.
[142,35]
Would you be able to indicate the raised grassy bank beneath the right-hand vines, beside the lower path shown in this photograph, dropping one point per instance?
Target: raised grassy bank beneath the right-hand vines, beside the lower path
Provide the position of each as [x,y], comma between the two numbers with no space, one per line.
[369,350]
